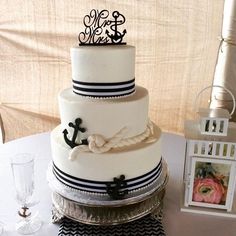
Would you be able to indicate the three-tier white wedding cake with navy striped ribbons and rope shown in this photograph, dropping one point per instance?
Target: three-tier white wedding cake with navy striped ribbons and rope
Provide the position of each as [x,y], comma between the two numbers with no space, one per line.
[105,132]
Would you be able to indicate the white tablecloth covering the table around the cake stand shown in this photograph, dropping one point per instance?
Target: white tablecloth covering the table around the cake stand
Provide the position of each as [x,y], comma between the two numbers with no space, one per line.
[175,222]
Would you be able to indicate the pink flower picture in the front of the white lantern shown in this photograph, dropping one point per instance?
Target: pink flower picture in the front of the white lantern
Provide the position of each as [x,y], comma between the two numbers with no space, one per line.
[211,182]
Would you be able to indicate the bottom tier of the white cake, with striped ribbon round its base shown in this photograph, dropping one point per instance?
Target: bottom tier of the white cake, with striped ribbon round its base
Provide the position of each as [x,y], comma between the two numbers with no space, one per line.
[134,167]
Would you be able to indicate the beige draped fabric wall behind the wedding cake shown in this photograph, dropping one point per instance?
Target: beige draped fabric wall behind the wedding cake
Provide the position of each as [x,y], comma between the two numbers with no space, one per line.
[176,48]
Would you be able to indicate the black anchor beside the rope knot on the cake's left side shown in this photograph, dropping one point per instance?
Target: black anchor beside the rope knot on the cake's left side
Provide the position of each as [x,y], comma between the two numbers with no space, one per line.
[76,126]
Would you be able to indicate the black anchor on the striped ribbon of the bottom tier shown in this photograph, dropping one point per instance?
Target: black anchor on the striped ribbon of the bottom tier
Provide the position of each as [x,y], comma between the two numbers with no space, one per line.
[114,188]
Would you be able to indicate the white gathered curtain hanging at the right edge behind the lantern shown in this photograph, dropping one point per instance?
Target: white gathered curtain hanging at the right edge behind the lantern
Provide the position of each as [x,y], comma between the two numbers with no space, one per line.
[225,72]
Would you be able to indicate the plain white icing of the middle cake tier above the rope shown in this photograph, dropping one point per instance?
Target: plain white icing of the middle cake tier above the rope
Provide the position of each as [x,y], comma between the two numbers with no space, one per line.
[105,117]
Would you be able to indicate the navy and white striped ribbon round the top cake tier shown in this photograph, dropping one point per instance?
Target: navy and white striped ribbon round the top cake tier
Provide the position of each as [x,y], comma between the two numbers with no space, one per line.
[104,89]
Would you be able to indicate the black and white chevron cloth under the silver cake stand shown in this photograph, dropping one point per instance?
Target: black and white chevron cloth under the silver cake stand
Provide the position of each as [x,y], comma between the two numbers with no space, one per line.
[147,226]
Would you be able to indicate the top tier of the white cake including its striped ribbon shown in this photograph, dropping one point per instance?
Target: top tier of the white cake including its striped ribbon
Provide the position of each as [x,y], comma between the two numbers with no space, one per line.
[103,71]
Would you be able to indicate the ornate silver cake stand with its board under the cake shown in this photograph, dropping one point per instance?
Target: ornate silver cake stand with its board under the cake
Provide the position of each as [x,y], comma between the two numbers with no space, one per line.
[101,210]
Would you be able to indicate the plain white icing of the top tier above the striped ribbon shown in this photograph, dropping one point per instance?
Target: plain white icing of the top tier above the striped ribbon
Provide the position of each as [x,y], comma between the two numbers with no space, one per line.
[103,64]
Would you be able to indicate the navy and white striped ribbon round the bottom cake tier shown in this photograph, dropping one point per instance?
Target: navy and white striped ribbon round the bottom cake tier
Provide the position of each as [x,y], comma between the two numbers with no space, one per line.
[101,186]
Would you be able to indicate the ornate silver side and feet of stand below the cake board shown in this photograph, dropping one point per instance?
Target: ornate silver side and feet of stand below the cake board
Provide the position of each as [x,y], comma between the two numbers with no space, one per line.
[106,215]
